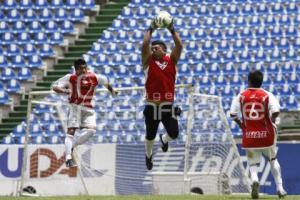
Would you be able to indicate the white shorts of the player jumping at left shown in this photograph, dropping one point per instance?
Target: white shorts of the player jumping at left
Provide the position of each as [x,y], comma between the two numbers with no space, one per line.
[80,116]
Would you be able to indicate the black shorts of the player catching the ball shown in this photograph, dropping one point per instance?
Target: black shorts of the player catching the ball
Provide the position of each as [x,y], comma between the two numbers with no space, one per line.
[154,114]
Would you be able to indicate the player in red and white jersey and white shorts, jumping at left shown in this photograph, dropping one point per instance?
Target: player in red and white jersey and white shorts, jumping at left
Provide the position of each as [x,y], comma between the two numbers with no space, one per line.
[80,86]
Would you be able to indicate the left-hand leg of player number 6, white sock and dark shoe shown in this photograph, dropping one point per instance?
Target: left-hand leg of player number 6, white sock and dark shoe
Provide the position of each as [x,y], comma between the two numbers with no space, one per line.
[253,157]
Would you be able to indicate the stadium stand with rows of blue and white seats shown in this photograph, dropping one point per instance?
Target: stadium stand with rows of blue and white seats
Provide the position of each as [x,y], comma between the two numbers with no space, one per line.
[223,41]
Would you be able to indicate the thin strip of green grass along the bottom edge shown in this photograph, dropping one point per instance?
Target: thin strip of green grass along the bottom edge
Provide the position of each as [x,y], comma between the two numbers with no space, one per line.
[169,197]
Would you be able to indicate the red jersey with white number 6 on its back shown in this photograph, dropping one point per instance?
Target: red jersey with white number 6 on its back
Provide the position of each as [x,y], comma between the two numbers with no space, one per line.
[259,130]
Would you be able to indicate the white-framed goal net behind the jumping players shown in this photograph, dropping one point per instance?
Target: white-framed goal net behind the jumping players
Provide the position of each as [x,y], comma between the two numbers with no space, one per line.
[203,158]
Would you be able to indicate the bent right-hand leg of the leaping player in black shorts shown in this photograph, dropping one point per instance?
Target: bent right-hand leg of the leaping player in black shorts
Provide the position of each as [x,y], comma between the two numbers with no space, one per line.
[170,123]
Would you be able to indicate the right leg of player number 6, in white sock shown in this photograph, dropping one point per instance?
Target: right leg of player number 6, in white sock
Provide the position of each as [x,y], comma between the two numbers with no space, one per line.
[271,154]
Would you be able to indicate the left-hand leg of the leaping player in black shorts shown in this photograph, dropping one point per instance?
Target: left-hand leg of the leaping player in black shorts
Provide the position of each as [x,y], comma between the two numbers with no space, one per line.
[151,129]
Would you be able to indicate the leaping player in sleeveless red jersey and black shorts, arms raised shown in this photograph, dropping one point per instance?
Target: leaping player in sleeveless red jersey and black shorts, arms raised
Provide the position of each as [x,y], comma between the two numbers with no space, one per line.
[160,72]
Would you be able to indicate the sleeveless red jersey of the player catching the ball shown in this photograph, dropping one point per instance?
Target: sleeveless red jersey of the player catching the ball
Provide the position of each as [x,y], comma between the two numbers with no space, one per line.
[160,80]
